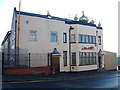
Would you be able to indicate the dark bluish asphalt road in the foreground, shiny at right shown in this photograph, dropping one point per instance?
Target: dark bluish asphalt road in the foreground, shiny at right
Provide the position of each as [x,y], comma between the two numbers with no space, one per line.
[102,80]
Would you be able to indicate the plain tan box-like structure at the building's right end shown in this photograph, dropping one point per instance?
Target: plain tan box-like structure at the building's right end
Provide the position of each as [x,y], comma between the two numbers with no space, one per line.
[110,61]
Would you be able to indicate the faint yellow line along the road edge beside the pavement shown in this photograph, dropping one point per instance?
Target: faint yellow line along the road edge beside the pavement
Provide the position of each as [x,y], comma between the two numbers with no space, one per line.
[47,80]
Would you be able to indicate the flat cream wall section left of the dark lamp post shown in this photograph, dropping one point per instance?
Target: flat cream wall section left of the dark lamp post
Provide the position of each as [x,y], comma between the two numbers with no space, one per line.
[42,45]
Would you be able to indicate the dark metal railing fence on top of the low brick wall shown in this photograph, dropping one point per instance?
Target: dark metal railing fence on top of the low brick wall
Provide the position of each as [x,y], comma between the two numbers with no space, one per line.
[25,60]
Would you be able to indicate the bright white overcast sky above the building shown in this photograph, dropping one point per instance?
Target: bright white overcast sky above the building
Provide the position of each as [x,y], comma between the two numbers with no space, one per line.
[103,11]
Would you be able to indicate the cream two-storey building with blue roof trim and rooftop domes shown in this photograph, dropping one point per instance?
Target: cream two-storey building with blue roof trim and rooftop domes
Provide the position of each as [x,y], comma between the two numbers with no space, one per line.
[52,38]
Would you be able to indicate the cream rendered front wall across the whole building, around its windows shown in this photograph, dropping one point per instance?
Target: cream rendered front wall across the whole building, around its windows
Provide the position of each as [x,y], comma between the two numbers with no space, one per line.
[44,27]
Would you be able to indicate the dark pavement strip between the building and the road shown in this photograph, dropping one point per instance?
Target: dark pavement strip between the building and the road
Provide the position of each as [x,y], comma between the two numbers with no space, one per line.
[51,77]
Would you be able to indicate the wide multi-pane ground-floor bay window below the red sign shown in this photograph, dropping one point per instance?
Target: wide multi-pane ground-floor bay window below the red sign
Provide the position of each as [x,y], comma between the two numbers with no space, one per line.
[87,58]
